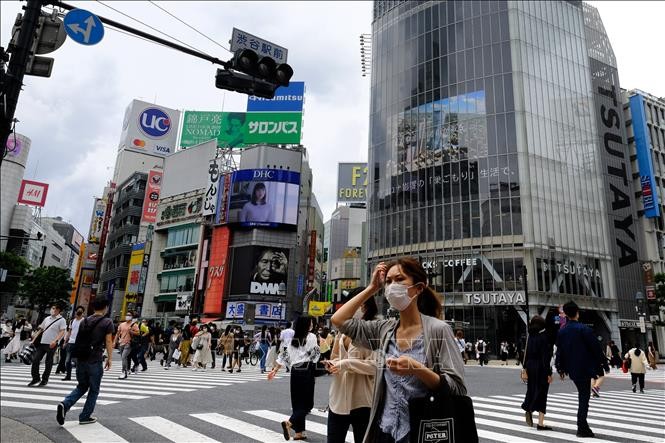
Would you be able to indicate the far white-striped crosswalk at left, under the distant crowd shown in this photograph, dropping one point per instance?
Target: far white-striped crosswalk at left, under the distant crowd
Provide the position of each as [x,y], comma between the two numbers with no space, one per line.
[153,382]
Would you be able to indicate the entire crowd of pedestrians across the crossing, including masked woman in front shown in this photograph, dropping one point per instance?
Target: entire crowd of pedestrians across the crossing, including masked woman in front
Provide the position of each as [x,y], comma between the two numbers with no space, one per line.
[378,366]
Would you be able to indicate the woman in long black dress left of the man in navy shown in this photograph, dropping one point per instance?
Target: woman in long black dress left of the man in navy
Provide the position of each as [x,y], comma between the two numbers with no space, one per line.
[539,370]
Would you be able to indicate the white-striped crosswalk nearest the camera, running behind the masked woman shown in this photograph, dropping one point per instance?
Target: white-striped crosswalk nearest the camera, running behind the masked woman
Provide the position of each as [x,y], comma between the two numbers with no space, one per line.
[617,416]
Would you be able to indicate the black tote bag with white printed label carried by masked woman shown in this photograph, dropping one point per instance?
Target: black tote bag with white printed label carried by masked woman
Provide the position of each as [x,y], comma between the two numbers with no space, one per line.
[442,417]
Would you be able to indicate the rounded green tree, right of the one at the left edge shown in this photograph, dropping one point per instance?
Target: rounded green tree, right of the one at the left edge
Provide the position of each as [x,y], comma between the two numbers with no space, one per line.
[46,285]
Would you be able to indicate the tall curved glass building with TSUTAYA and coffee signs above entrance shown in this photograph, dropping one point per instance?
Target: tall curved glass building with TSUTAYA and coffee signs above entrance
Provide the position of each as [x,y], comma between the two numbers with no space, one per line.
[487,159]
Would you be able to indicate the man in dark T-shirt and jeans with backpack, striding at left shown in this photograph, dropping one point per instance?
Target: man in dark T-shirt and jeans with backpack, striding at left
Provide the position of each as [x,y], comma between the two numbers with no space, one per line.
[95,334]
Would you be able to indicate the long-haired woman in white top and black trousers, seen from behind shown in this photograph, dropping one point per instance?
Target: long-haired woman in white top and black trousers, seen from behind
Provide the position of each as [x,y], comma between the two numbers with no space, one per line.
[300,355]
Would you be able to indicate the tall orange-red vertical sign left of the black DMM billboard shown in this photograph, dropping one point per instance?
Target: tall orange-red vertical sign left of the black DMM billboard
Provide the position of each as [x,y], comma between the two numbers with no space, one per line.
[217,271]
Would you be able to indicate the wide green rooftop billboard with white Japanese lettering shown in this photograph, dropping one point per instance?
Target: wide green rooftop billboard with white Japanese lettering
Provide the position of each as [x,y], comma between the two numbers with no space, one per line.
[240,129]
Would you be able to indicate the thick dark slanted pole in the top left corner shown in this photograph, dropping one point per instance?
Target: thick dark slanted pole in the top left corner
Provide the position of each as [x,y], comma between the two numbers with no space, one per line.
[13,80]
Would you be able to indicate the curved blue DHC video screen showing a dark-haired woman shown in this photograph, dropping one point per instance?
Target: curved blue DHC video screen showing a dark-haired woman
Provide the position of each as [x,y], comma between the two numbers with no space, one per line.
[264,198]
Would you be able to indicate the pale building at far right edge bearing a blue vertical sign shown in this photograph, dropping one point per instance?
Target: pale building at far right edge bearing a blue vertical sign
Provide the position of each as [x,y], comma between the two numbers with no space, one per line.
[645,128]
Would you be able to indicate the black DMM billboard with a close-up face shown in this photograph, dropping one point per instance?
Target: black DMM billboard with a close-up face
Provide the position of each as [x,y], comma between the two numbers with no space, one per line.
[260,270]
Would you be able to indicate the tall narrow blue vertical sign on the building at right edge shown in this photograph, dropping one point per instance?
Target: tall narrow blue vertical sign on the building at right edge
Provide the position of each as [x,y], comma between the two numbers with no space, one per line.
[642,143]
